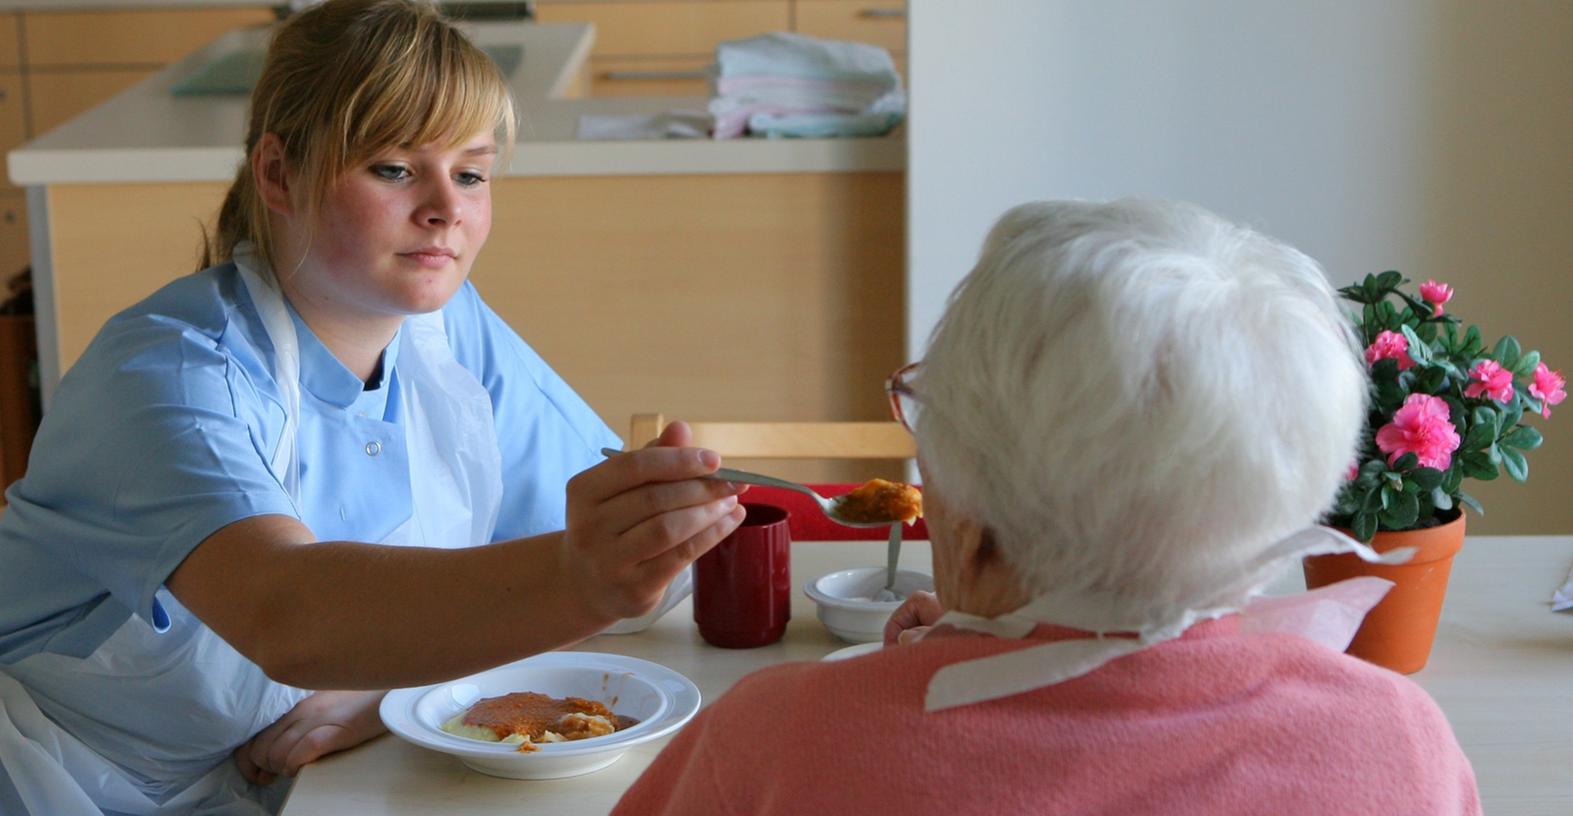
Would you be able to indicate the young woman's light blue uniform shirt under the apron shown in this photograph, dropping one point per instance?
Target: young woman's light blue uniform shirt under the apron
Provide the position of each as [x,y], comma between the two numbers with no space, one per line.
[163,432]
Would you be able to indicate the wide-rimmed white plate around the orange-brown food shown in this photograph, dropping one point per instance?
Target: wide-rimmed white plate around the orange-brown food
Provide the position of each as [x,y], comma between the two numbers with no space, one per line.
[655,696]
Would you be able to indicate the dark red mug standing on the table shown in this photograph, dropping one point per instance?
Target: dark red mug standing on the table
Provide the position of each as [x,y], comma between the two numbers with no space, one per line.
[743,586]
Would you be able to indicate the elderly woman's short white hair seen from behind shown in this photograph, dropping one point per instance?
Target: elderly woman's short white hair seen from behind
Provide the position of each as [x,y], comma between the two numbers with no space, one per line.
[1138,399]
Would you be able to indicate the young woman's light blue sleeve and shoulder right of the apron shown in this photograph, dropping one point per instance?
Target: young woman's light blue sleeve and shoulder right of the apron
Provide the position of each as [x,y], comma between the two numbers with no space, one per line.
[545,430]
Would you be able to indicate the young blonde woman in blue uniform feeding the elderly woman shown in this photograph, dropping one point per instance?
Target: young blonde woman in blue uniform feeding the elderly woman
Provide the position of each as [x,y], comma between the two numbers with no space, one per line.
[276,476]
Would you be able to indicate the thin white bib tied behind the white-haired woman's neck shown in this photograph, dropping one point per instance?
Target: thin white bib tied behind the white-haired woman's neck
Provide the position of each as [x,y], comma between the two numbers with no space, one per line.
[1328,616]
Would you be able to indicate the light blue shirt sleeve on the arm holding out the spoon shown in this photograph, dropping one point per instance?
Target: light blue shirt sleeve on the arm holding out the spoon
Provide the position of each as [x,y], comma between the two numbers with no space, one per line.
[157,439]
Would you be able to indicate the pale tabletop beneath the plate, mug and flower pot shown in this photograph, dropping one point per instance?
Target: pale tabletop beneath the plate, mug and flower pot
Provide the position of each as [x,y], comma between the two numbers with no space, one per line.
[1501,669]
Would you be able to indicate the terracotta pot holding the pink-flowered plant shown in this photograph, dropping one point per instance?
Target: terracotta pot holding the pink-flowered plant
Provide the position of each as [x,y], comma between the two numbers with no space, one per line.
[1399,633]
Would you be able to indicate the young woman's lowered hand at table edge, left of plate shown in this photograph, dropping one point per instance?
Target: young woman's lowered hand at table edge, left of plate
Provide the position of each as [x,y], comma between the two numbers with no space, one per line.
[319,726]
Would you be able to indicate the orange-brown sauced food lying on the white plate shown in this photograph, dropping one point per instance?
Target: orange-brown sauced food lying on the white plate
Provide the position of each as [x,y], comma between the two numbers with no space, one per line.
[529,719]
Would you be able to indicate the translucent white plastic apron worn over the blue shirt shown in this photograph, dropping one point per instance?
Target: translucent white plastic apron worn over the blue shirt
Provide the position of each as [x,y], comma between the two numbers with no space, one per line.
[188,675]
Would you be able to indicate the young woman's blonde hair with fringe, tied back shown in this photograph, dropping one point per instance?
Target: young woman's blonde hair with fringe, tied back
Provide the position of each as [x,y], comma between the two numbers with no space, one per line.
[348,79]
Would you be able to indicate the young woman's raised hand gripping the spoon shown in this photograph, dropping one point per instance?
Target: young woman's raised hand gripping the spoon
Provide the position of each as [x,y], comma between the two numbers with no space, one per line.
[638,520]
